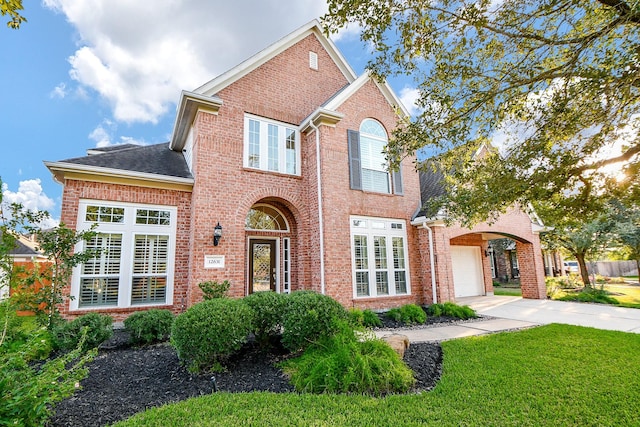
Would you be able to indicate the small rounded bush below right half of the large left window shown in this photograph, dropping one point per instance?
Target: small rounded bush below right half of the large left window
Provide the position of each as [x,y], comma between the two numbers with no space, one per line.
[146,327]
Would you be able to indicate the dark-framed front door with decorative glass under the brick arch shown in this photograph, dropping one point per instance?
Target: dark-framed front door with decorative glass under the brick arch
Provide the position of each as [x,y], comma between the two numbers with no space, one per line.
[262,265]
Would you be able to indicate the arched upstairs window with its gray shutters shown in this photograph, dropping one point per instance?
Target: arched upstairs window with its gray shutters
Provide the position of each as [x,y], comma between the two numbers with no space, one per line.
[368,166]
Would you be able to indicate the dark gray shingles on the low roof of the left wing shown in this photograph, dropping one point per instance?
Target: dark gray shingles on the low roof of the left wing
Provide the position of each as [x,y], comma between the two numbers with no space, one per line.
[154,159]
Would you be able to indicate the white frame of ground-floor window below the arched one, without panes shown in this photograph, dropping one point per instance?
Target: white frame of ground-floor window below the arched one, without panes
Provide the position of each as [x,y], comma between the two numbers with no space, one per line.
[370,228]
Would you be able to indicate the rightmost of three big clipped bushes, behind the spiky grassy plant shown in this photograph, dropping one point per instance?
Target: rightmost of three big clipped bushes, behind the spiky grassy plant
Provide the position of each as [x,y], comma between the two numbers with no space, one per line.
[309,316]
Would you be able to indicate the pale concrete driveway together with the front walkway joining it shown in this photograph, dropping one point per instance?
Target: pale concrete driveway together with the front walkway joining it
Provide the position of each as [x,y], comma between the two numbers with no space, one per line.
[516,313]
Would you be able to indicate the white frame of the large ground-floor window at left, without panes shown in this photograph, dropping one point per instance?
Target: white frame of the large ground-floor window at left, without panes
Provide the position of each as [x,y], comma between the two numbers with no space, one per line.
[128,229]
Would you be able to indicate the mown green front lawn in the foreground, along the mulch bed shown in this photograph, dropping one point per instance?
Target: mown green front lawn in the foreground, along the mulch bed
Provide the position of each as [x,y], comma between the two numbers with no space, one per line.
[546,376]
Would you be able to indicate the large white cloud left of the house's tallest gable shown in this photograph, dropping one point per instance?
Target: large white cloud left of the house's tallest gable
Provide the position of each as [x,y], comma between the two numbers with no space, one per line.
[140,55]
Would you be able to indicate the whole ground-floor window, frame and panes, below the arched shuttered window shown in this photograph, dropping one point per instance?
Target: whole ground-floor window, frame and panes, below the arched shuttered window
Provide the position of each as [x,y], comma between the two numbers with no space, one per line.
[379,261]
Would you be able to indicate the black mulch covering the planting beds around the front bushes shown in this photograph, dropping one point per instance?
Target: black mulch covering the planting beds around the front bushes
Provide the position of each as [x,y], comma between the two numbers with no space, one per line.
[124,380]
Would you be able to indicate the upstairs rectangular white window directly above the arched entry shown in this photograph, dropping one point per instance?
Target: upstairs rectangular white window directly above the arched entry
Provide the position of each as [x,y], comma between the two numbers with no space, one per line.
[271,146]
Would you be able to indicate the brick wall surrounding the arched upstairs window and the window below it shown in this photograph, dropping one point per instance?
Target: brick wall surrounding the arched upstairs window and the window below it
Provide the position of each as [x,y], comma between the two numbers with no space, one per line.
[340,201]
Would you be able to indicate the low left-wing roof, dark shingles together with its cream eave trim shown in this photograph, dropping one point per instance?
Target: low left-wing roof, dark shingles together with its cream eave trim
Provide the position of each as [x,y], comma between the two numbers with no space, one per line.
[141,162]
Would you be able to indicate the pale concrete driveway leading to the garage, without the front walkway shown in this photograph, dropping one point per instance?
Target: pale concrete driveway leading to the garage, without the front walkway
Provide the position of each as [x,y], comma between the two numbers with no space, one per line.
[599,316]
